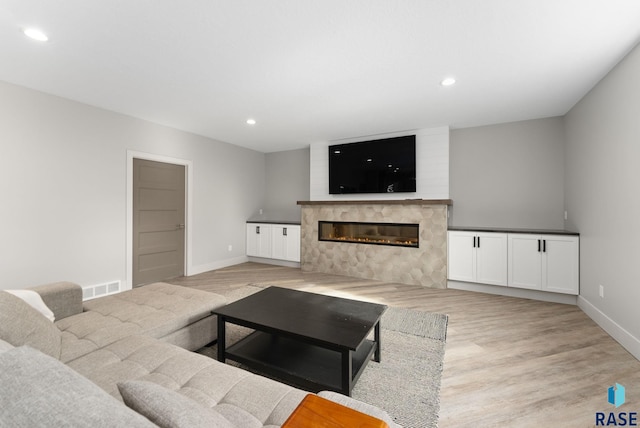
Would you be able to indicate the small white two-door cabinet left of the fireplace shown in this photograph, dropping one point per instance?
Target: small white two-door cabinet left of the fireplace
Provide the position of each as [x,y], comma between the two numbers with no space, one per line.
[273,241]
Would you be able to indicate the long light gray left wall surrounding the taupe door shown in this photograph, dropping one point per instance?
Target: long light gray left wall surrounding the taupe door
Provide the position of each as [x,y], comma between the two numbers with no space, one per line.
[63,186]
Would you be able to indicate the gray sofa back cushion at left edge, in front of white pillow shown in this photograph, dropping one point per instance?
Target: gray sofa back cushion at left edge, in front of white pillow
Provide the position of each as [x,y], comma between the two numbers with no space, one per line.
[21,324]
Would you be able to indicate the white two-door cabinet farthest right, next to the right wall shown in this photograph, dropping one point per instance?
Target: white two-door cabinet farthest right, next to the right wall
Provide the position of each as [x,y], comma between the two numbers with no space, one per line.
[544,262]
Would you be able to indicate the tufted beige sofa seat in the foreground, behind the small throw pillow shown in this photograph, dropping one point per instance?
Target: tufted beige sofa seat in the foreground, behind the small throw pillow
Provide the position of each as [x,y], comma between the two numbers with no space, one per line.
[236,394]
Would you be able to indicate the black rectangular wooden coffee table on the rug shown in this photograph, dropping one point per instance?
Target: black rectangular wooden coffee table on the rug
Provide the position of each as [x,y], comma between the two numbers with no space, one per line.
[309,340]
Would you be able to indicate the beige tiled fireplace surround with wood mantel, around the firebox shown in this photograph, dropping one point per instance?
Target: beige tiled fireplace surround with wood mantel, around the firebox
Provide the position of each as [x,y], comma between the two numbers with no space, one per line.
[425,265]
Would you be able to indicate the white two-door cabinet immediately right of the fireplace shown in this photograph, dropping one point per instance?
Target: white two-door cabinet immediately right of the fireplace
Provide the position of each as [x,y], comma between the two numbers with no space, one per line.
[478,257]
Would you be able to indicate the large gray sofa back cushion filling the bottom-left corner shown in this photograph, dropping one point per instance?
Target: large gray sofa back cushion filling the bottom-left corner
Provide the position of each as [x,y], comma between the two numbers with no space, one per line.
[38,390]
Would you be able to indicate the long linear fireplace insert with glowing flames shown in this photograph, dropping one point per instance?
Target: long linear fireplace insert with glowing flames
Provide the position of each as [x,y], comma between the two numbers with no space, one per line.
[395,234]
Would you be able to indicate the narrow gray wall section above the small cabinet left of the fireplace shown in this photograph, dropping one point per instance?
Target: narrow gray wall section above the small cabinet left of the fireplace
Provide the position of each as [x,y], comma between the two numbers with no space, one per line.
[287,178]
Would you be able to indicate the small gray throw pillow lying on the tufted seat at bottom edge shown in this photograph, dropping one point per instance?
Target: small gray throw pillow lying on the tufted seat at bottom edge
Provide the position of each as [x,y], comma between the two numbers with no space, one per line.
[167,408]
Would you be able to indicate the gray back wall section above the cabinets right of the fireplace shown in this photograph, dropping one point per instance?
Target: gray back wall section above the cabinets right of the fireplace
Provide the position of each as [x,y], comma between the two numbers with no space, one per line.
[508,175]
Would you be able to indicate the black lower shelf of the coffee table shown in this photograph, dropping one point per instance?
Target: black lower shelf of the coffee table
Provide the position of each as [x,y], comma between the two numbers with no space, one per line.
[307,366]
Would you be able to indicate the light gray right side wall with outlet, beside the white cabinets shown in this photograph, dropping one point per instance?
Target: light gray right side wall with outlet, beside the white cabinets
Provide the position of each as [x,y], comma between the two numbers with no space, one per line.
[603,198]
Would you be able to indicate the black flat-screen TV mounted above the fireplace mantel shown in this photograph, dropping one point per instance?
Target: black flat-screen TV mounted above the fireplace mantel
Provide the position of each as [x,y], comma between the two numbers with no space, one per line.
[377,166]
